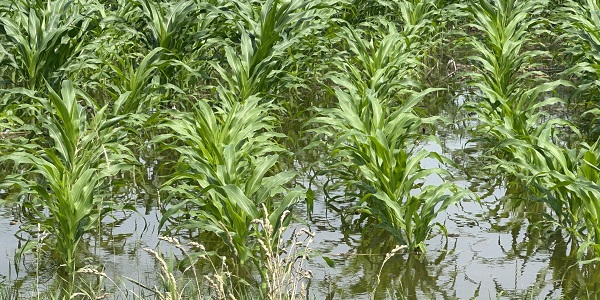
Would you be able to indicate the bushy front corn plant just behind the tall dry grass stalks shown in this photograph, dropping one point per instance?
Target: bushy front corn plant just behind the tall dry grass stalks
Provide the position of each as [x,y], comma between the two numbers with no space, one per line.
[223,172]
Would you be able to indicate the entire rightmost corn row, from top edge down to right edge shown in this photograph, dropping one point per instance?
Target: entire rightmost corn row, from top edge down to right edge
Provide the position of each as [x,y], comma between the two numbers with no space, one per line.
[512,116]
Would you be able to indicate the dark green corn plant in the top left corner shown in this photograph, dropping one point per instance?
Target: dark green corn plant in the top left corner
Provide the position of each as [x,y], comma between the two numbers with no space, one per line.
[43,38]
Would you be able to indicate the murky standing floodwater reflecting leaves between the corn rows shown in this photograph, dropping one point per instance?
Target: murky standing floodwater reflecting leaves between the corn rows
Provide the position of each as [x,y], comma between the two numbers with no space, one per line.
[494,250]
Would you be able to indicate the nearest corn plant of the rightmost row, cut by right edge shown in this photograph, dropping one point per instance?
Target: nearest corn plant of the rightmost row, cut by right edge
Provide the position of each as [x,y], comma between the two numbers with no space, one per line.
[567,181]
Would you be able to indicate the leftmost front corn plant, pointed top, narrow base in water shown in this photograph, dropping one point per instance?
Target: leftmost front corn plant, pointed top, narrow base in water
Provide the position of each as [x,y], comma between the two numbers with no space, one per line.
[67,197]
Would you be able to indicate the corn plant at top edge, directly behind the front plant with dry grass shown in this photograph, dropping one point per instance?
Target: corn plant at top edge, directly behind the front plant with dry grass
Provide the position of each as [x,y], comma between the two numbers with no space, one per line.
[266,35]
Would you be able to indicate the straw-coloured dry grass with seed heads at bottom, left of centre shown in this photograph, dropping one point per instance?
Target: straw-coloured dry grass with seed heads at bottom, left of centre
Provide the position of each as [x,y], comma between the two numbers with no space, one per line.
[282,260]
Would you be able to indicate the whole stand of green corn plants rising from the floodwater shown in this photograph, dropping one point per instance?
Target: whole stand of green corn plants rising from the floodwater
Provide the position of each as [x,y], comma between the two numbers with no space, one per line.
[218,103]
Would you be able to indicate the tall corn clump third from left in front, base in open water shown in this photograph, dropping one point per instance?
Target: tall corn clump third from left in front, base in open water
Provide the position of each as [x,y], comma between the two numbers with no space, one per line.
[373,127]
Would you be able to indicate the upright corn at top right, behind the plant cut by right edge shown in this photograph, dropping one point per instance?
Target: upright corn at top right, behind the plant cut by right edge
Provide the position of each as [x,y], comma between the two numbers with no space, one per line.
[512,93]
